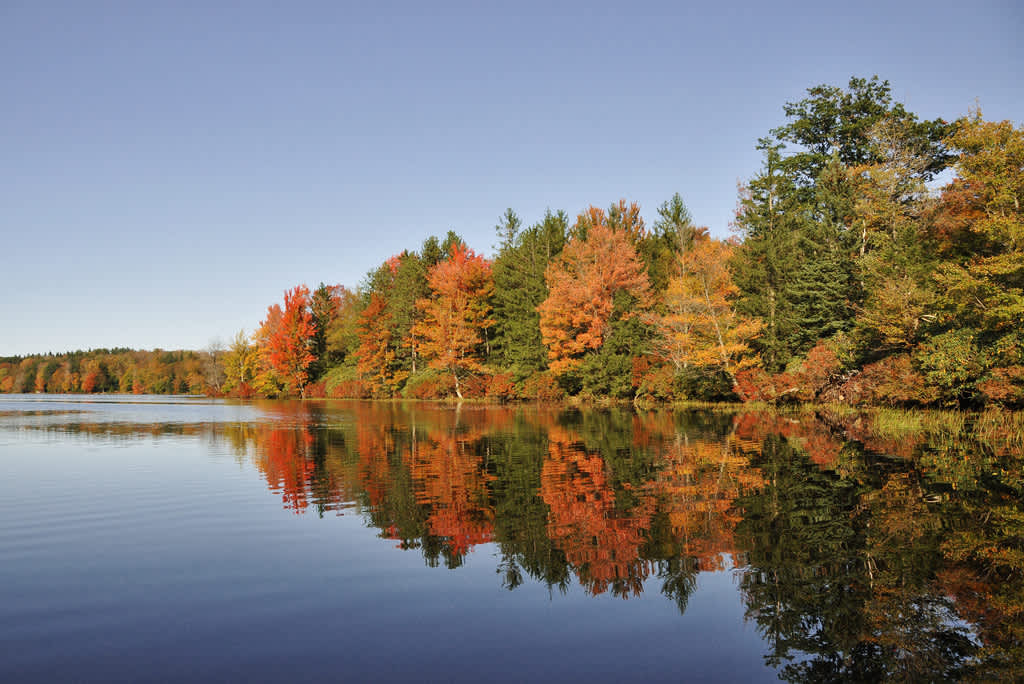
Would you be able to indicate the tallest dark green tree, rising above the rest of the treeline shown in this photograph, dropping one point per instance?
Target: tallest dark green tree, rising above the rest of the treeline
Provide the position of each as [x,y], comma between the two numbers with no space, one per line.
[798,269]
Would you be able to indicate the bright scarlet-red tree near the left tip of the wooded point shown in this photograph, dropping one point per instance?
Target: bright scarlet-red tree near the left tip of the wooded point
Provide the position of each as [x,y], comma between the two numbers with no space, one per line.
[285,339]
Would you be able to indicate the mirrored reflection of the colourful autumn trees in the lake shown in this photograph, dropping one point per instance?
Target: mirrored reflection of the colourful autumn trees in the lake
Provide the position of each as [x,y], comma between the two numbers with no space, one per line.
[866,549]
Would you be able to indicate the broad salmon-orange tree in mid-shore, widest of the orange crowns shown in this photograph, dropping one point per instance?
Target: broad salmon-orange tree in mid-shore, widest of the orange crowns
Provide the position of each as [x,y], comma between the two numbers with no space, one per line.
[583,284]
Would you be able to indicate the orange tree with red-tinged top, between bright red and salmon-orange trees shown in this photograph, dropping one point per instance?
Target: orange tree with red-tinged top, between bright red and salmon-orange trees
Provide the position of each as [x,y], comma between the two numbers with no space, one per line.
[457,315]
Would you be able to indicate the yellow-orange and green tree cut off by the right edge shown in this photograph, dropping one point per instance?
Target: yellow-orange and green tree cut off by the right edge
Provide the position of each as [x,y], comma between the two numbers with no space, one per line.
[983,292]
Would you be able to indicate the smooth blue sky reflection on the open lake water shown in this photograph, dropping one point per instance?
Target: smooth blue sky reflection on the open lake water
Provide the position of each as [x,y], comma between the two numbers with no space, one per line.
[156,559]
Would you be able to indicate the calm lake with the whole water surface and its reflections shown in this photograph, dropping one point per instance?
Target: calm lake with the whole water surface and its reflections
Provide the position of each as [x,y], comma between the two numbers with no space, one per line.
[174,539]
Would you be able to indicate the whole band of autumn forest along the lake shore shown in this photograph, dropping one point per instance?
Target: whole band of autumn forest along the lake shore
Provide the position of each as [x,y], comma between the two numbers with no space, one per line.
[877,259]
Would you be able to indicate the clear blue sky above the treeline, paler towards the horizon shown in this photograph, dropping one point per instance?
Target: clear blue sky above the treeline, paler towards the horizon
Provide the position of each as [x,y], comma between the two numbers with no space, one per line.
[167,169]
